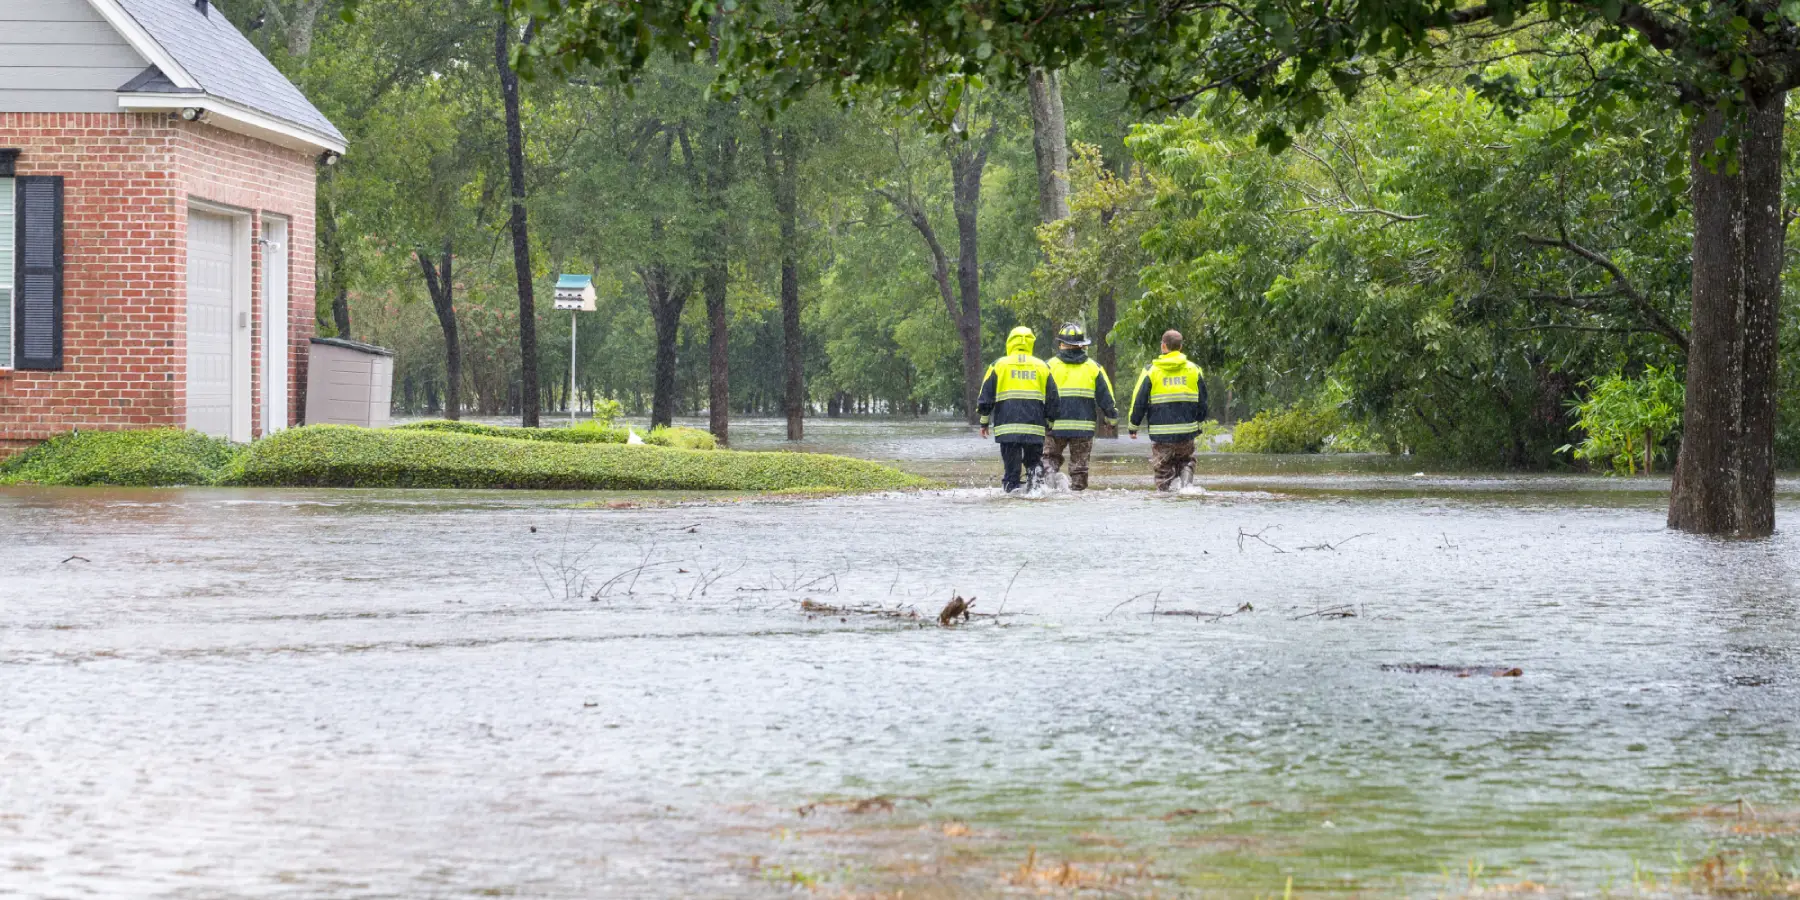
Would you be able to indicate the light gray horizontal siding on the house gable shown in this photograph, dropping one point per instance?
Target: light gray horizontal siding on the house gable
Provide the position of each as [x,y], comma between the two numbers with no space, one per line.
[62,57]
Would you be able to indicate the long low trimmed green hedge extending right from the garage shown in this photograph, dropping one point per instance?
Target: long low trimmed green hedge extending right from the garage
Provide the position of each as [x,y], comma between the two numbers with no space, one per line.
[337,456]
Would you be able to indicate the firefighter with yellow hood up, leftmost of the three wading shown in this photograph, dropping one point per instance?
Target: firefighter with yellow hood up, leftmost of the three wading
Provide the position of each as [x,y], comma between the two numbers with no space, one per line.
[1018,400]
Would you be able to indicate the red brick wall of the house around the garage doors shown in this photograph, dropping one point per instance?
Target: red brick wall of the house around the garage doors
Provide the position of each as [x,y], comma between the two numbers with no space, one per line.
[129,181]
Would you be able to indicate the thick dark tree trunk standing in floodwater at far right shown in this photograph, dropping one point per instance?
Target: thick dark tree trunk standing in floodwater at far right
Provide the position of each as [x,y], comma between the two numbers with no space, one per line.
[1725,472]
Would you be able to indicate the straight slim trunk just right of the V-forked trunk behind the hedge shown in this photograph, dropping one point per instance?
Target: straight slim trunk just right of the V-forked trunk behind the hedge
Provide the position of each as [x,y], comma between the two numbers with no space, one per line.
[721,170]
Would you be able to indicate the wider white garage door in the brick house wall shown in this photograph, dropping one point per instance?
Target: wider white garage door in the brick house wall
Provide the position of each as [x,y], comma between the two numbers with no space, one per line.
[211,323]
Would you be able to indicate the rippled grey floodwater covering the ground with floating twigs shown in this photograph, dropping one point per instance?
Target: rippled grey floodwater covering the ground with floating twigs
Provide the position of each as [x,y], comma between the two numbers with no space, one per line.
[431,694]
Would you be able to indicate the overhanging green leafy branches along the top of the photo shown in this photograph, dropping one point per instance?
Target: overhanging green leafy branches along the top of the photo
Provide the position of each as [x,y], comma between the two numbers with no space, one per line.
[1288,62]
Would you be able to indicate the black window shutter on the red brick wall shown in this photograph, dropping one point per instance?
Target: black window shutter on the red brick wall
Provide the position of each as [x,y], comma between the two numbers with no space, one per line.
[39,310]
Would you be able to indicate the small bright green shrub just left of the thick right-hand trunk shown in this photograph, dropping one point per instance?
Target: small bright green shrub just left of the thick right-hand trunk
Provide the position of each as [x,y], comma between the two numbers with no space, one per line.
[1626,420]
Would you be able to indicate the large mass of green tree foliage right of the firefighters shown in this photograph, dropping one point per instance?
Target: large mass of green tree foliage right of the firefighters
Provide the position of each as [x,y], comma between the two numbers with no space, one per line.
[1423,258]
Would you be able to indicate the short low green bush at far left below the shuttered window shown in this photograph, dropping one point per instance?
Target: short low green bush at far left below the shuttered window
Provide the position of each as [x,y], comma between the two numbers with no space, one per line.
[138,460]
